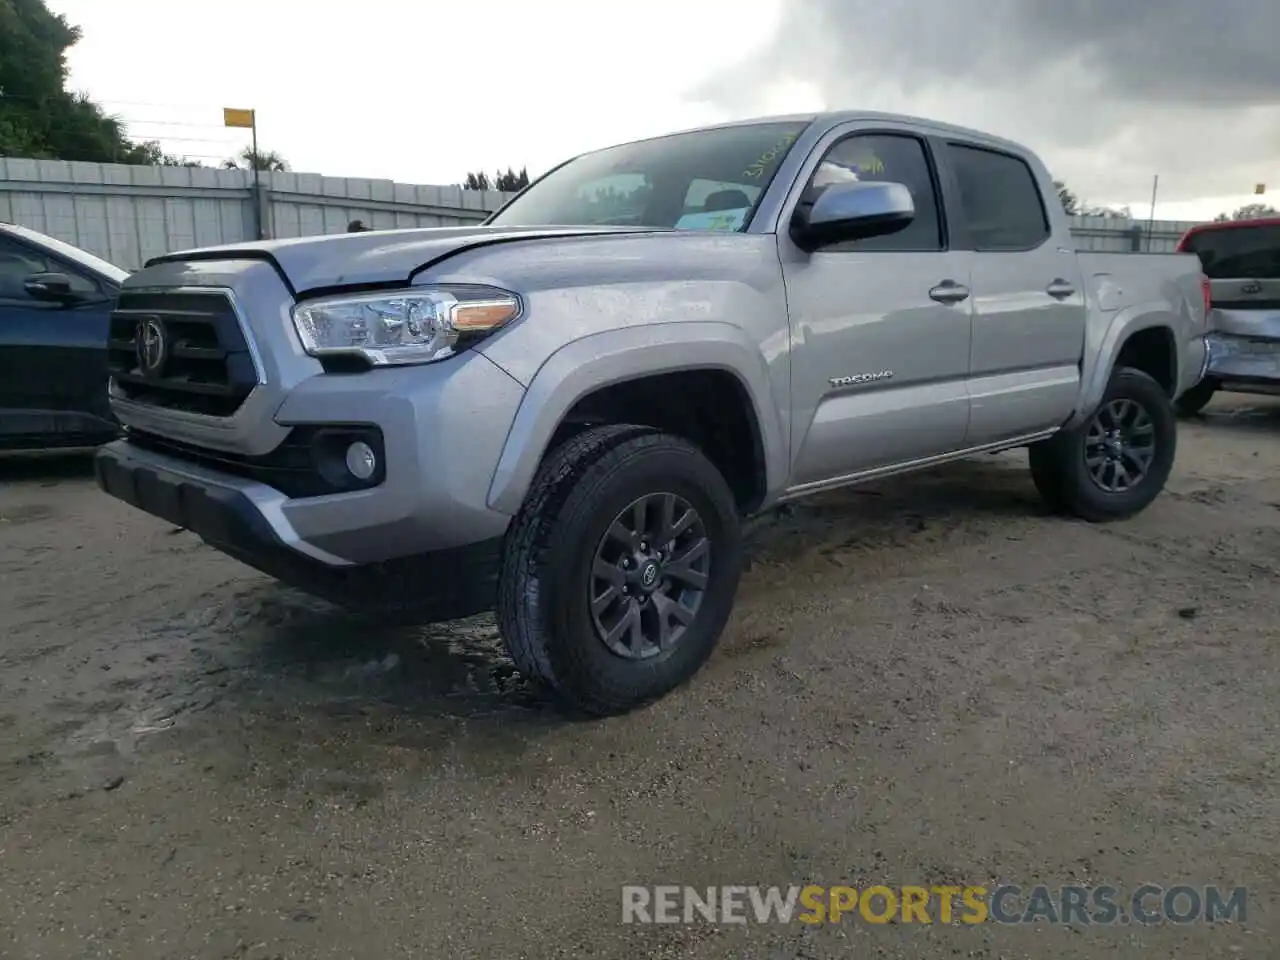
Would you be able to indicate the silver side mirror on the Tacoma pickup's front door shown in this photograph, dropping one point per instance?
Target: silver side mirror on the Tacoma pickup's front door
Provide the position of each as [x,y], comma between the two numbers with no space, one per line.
[847,212]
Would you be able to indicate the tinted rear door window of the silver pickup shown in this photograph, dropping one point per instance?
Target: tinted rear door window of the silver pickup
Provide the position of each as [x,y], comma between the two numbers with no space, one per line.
[1003,205]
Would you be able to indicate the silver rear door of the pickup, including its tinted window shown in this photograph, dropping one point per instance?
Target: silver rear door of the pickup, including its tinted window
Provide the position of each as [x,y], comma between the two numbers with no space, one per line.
[1030,309]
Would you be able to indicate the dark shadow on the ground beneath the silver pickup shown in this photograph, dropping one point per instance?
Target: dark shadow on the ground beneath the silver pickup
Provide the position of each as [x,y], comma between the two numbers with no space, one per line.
[287,647]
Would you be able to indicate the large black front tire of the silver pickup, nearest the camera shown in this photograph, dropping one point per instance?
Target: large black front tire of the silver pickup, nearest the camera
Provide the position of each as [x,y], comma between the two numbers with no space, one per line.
[550,569]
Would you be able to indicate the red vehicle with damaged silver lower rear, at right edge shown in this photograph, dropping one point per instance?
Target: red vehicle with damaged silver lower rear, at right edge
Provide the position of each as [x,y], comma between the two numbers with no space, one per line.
[1242,264]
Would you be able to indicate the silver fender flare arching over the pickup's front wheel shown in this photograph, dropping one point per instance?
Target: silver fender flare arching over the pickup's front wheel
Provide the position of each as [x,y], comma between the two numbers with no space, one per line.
[628,354]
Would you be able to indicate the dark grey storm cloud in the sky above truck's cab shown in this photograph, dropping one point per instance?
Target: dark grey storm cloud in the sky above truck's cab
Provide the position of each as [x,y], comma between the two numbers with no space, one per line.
[1110,92]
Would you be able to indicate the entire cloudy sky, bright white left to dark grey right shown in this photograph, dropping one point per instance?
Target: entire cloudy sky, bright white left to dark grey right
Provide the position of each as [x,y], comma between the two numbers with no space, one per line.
[1110,93]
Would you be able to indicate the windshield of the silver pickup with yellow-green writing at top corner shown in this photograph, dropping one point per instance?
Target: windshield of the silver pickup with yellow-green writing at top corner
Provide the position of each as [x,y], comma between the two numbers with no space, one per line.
[701,181]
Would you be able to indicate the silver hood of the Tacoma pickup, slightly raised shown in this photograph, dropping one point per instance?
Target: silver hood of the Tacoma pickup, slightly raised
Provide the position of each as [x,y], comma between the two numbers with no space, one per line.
[376,257]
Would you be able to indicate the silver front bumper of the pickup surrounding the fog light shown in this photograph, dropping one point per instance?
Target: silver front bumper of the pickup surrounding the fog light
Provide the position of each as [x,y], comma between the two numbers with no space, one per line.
[444,429]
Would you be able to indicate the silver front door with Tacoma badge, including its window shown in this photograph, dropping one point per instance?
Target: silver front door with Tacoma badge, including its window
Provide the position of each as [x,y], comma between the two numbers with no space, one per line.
[880,327]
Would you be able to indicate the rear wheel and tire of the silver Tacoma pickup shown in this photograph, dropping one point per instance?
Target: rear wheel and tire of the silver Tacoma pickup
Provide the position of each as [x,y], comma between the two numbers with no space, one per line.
[1066,479]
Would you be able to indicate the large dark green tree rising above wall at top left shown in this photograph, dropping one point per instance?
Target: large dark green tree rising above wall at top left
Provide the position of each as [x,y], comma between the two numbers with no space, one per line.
[39,117]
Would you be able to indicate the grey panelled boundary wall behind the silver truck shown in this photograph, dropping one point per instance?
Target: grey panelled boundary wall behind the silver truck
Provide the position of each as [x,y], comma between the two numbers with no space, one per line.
[129,214]
